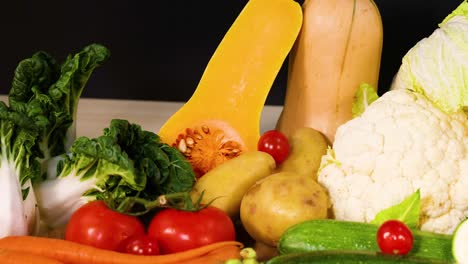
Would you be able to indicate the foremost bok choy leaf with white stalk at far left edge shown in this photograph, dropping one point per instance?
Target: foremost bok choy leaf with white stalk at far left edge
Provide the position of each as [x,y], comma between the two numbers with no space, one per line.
[19,167]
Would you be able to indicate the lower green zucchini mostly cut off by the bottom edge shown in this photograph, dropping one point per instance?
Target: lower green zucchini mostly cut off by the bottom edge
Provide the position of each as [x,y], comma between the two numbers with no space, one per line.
[345,257]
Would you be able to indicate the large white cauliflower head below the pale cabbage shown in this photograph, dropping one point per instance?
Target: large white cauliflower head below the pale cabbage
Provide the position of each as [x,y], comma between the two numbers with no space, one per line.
[401,143]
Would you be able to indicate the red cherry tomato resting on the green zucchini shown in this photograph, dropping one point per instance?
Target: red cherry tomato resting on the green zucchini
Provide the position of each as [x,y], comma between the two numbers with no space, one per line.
[394,237]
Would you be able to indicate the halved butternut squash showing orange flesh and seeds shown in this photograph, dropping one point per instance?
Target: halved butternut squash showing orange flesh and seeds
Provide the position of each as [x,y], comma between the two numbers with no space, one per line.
[222,118]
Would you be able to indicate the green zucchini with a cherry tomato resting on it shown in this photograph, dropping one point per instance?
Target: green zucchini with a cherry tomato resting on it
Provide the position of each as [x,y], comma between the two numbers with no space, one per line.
[328,234]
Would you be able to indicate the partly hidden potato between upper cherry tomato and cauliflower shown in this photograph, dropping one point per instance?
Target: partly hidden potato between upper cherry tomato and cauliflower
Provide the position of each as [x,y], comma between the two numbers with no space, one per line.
[307,148]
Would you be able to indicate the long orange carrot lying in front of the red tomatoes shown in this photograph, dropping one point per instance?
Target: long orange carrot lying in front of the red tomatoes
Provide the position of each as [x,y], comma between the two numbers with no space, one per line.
[73,253]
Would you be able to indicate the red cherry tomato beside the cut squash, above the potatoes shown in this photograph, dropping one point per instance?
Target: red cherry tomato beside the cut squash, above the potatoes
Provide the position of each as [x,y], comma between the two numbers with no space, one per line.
[274,143]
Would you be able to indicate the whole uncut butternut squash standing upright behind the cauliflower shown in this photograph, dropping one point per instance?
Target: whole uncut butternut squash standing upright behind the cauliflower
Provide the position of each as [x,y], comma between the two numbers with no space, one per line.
[339,47]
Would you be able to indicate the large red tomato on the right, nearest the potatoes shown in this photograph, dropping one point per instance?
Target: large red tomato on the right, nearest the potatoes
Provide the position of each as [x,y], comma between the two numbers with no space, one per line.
[178,230]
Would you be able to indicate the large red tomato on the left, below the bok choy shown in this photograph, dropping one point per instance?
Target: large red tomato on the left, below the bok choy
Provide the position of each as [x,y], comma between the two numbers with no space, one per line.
[97,225]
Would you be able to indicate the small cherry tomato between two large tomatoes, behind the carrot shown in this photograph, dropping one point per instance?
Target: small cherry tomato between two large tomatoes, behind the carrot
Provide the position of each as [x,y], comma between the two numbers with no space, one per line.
[140,244]
